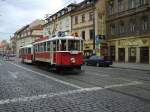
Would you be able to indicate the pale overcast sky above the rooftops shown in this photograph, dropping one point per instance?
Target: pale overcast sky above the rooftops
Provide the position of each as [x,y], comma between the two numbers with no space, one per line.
[17,13]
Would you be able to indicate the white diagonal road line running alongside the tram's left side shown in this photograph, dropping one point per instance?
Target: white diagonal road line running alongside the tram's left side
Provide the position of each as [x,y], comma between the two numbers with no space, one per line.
[43,75]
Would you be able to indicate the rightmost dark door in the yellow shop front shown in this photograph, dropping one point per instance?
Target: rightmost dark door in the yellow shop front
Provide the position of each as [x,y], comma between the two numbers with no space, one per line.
[144,55]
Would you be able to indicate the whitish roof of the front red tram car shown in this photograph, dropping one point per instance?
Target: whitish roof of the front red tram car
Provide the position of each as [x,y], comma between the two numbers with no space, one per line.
[60,38]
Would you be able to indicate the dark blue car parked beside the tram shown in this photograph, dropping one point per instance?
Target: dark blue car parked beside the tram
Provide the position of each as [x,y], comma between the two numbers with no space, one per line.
[98,61]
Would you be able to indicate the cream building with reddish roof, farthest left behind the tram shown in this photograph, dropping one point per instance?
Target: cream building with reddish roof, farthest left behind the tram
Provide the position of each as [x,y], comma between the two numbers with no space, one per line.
[28,34]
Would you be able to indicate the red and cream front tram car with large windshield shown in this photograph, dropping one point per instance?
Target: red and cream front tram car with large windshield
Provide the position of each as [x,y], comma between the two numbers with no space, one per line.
[59,52]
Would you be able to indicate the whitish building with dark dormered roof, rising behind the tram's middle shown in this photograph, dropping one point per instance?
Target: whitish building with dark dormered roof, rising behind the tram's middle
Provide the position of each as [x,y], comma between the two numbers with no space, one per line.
[60,21]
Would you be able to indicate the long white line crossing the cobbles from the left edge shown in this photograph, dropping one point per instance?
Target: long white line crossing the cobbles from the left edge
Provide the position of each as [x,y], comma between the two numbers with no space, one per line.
[38,97]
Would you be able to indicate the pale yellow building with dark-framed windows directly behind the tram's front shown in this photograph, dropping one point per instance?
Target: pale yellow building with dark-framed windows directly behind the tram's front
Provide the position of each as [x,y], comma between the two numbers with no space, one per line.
[83,24]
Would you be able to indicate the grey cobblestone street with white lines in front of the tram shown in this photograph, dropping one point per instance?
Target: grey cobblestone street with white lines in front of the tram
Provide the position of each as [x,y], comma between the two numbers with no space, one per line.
[28,88]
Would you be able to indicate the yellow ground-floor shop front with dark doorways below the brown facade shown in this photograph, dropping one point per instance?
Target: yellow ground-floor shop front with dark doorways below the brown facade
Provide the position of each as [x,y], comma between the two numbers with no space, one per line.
[134,50]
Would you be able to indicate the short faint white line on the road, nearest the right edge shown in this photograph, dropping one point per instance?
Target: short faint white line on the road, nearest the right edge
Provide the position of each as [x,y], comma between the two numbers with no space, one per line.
[123,85]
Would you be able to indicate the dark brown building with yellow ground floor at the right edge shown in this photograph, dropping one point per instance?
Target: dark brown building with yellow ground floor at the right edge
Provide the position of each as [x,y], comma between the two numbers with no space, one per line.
[128,30]
